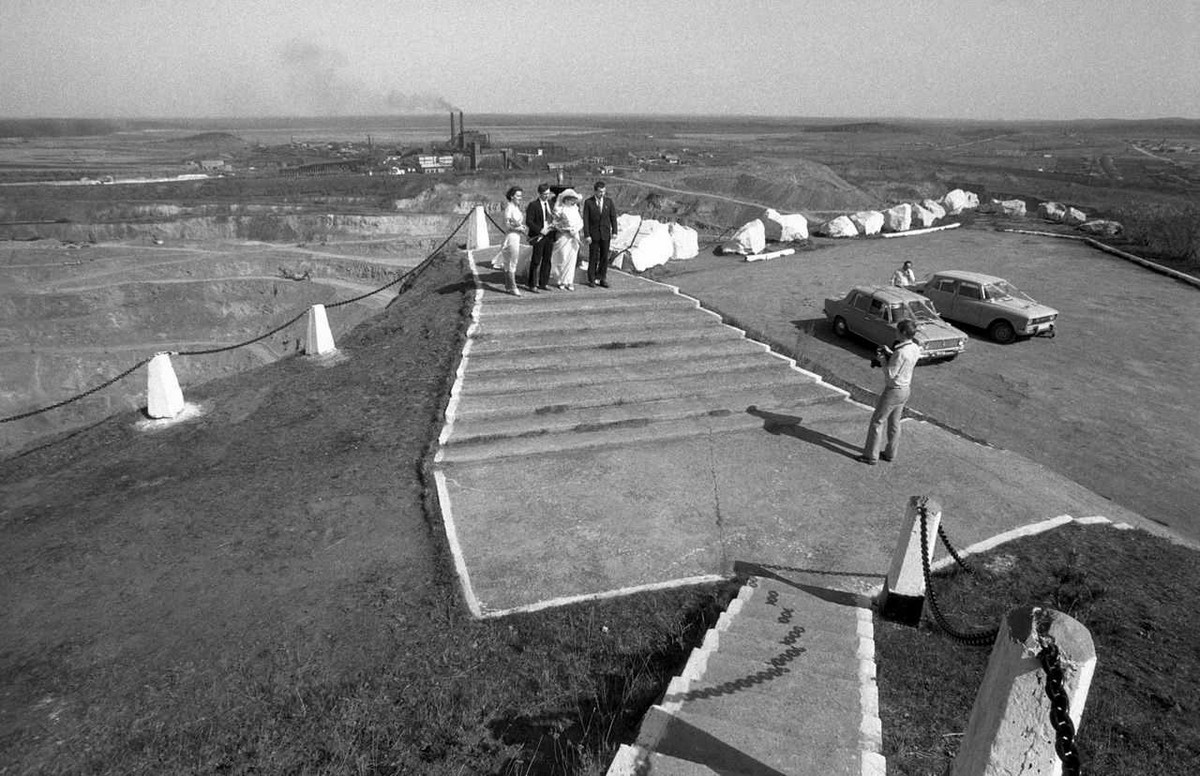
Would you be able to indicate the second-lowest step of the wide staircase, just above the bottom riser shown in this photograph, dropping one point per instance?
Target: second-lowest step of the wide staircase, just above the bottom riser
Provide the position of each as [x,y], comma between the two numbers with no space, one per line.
[567,417]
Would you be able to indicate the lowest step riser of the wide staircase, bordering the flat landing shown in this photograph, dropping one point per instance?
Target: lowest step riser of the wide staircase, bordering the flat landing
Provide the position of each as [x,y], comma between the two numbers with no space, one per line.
[629,434]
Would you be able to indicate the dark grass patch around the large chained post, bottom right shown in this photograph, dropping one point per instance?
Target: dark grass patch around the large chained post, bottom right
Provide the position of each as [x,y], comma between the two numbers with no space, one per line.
[1132,591]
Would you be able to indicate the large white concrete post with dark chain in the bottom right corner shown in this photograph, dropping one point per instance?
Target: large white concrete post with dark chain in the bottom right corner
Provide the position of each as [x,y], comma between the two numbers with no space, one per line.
[1010,730]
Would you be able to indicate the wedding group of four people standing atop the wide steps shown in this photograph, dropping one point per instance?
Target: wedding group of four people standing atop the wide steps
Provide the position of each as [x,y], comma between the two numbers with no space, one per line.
[557,227]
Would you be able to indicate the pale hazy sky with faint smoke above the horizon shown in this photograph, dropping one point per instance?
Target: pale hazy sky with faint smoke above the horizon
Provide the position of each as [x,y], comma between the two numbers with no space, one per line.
[967,59]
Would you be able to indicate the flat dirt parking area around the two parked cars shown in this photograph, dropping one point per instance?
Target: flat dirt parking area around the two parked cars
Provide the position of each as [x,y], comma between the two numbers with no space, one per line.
[1111,402]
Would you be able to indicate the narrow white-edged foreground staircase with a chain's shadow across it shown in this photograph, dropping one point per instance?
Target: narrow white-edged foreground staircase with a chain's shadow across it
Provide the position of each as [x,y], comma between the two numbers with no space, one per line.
[784,684]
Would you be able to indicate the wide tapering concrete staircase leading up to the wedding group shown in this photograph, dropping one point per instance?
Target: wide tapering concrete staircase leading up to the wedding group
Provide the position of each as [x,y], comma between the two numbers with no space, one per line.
[637,363]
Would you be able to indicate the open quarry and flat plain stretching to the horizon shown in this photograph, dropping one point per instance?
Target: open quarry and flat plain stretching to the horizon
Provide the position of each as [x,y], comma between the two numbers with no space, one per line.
[239,238]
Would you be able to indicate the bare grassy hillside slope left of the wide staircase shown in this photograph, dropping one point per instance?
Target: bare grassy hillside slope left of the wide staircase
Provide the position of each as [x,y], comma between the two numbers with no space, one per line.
[239,560]
